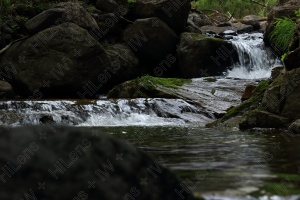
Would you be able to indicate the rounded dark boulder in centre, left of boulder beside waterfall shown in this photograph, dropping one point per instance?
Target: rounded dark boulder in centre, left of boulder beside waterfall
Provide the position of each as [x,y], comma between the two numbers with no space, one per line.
[150,39]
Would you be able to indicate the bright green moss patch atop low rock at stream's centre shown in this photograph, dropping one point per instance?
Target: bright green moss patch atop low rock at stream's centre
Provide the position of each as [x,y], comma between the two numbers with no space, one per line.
[151,81]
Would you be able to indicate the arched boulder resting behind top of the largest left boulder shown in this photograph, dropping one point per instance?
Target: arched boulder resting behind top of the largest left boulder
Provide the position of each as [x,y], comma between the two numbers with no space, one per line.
[61,13]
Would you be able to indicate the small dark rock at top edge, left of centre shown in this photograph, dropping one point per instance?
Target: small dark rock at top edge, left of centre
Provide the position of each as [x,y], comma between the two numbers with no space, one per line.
[111,6]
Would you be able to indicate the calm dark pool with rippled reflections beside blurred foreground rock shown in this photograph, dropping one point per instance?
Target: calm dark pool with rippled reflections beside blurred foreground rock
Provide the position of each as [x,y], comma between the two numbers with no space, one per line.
[217,162]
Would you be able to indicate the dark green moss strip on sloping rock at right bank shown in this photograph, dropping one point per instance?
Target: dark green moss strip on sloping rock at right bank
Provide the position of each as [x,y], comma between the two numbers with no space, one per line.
[249,104]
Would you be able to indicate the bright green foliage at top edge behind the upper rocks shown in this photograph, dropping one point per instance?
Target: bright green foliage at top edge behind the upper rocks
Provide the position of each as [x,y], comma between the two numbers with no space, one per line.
[239,8]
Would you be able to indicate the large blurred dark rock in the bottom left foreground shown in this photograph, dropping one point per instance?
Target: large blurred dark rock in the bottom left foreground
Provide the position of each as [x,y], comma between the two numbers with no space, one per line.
[72,163]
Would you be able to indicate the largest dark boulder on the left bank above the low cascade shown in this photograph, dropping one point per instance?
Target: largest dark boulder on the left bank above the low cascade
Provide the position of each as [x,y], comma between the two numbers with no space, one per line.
[59,62]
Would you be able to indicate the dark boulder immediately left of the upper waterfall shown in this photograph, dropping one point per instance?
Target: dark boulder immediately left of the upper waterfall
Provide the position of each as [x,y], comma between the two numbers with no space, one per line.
[200,55]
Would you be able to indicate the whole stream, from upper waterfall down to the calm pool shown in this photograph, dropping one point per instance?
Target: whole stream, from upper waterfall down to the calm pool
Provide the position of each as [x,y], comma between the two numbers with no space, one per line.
[217,165]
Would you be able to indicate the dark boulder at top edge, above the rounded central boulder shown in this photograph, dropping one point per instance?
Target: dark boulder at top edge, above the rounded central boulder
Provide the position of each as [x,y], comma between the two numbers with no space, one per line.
[173,13]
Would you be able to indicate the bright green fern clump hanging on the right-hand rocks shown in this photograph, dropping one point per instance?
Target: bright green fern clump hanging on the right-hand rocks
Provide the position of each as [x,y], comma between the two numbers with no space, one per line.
[282,34]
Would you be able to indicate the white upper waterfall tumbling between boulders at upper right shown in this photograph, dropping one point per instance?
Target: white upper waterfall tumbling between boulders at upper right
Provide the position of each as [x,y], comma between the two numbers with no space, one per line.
[255,60]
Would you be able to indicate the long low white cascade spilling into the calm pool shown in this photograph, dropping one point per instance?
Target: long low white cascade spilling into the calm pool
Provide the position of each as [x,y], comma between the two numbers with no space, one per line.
[121,112]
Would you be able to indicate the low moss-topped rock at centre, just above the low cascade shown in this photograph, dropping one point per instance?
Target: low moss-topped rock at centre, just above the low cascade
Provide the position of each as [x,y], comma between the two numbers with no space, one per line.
[148,86]
